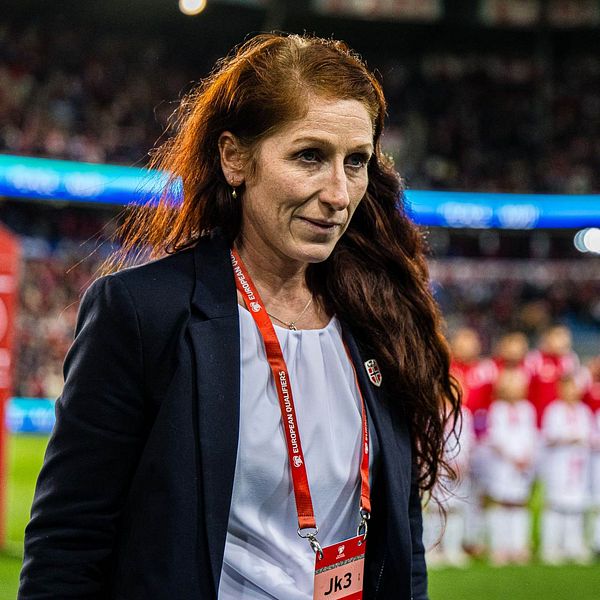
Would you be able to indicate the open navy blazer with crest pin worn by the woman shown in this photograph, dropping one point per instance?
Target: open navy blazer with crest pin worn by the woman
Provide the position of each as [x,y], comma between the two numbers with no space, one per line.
[132,502]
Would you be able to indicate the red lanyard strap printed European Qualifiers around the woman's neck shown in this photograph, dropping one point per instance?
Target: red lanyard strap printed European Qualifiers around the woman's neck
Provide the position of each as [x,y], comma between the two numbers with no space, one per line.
[304,507]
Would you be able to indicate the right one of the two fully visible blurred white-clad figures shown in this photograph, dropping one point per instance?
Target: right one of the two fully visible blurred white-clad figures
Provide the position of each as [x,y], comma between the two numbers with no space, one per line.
[567,433]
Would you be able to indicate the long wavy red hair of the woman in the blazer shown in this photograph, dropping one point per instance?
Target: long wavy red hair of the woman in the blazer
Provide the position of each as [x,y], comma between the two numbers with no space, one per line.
[376,279]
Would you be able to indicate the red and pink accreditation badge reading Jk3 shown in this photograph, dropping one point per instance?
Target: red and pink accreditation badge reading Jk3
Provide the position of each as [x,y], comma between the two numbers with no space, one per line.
[339,573]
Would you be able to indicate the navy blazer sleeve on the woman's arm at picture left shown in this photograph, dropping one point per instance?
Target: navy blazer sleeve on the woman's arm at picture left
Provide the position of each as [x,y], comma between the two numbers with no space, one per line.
[92,453]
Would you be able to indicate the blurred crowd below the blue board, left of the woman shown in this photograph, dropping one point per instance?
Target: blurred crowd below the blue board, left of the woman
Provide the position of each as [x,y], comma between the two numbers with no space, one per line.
[62,249]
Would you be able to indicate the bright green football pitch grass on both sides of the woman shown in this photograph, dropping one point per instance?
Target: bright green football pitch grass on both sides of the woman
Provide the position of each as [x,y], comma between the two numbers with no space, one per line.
[479,582]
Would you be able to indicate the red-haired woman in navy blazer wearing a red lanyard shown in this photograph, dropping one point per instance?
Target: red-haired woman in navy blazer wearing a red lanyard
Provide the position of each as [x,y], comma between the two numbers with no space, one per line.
[183,463]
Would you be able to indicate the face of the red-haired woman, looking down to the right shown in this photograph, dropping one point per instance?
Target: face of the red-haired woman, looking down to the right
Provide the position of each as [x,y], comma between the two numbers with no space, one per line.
[307,181]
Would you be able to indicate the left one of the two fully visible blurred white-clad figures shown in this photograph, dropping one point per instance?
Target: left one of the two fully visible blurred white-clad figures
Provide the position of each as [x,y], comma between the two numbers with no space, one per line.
[513,441]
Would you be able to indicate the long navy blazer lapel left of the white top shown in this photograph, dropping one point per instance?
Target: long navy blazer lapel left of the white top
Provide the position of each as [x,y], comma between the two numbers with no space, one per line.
[214,331]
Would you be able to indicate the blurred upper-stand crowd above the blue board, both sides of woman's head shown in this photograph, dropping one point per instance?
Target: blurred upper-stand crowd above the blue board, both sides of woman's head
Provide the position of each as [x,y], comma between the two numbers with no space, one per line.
[488,122]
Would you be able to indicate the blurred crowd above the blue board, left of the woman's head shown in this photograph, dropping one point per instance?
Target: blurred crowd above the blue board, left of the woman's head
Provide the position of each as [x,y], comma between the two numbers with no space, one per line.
[79,96]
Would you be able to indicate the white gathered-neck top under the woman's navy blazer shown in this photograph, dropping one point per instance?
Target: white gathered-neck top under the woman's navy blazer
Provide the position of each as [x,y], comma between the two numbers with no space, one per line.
[264,557]
